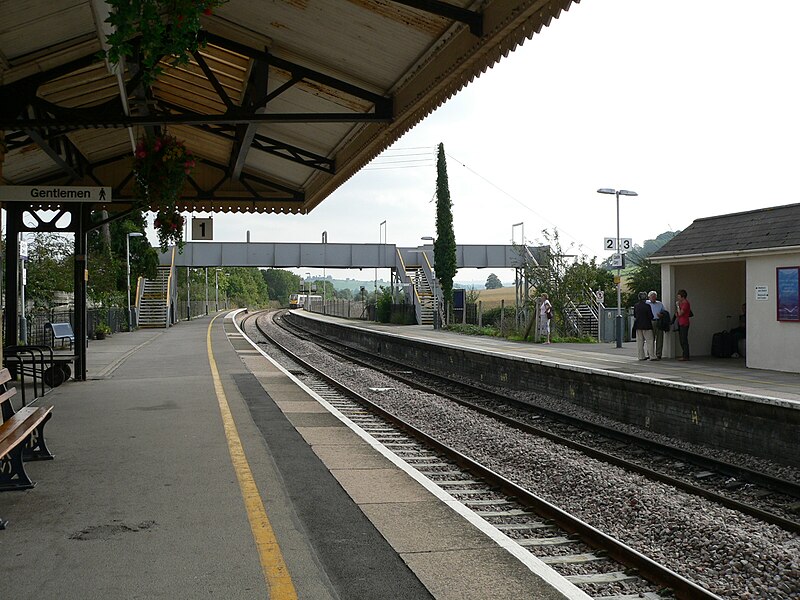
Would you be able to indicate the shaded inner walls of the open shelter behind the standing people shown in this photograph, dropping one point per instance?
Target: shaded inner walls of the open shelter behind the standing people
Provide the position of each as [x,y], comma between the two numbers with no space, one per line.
[715,291]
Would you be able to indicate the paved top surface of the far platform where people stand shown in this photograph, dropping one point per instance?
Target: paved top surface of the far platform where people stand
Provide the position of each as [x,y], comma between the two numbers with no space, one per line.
[729,375]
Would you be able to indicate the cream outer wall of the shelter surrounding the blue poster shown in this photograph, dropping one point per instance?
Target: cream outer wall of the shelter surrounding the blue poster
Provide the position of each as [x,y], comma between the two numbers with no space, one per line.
[771,344]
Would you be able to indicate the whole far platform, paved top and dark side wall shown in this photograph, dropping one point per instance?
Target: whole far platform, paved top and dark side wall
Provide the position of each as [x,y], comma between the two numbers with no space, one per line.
[707,401]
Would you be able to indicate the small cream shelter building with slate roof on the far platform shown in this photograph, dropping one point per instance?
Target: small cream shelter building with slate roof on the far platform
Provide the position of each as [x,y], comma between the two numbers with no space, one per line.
[726,261]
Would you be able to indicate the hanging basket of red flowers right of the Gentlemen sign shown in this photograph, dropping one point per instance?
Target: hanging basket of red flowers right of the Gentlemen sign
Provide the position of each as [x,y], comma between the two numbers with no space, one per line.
[161,165]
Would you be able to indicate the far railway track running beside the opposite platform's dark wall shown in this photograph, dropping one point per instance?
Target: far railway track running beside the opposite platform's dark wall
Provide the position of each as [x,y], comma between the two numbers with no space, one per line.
[777,500]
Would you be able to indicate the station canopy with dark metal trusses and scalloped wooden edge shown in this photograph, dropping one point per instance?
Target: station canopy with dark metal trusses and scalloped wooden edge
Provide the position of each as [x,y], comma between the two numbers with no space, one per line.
[285,101]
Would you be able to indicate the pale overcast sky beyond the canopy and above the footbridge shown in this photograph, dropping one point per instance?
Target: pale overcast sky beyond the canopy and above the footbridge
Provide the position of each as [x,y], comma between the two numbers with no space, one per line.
[694,105]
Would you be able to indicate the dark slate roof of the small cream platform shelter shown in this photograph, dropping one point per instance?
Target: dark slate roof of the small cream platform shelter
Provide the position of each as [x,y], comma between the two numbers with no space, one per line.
[762,229]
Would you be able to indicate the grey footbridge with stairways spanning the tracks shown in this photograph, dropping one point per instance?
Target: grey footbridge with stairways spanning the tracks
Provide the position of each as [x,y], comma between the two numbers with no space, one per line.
[412,270]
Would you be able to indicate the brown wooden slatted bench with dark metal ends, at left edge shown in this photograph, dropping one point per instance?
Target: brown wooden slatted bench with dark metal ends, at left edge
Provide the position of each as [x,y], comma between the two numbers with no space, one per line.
[21,437]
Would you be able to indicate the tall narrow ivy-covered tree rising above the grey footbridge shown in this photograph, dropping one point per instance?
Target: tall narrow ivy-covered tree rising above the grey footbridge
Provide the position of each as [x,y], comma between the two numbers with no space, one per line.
[444,247]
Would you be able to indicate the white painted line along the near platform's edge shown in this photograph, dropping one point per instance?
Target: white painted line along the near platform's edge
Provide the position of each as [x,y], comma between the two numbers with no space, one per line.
[546,573]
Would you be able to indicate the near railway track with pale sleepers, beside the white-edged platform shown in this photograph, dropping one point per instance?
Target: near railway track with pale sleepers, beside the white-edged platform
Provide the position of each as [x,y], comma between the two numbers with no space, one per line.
[602,566]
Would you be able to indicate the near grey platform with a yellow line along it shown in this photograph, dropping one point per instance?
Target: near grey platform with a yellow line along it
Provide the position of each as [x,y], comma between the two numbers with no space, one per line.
[191,466]
